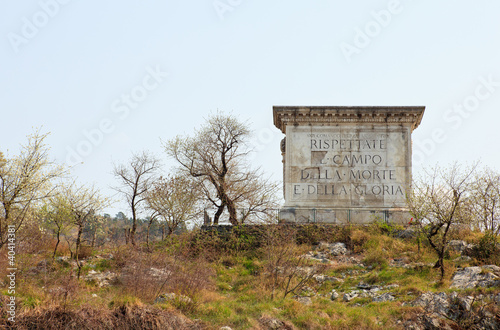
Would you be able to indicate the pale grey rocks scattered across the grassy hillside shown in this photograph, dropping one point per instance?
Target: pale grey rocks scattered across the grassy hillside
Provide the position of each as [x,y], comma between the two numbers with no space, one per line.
[438,307]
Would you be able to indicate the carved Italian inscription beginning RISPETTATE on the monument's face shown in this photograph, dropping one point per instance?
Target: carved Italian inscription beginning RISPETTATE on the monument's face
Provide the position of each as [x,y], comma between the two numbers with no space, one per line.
[350,167]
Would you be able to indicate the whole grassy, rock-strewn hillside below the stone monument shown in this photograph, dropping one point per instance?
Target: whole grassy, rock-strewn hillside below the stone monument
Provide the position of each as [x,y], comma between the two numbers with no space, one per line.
[268,277]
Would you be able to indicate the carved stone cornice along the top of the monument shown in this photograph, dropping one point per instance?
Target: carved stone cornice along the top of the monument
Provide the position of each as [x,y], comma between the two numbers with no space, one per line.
[331,115]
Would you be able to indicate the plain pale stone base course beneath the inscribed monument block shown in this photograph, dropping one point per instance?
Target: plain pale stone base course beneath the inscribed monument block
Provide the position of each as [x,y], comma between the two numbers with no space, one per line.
[342,216]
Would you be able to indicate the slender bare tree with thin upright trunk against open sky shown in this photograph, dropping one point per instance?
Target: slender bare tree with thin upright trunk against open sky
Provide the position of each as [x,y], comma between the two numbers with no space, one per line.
[135,179]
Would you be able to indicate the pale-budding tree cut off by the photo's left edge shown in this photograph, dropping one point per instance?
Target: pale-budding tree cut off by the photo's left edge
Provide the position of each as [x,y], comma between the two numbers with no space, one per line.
[25,180]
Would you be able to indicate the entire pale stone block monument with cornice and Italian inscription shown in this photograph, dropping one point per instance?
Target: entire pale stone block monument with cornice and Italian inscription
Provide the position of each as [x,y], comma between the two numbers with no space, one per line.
[346,164]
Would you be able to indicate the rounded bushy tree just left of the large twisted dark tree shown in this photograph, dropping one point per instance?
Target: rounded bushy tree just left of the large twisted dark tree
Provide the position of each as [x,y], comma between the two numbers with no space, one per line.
[176,200]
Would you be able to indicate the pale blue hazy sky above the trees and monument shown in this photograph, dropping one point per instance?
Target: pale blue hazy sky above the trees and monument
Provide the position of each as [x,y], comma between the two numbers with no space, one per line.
[109,78]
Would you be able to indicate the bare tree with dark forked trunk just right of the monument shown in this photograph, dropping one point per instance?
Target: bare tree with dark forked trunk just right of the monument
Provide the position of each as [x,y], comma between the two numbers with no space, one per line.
[438,201]
